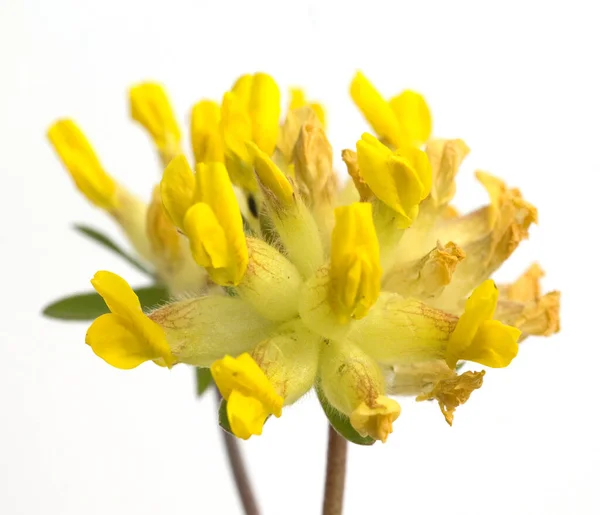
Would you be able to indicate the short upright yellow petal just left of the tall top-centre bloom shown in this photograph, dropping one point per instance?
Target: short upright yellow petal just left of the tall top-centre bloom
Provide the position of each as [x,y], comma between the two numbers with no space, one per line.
[205,128]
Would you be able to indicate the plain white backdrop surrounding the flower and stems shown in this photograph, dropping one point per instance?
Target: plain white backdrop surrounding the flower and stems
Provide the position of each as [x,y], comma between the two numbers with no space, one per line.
[519,82]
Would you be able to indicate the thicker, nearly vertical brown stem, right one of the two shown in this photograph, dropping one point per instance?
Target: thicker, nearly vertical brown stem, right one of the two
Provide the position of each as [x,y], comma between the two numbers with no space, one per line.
[335,476]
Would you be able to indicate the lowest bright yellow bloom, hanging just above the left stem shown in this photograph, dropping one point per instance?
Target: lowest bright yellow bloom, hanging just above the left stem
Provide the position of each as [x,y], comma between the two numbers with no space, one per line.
[250,396]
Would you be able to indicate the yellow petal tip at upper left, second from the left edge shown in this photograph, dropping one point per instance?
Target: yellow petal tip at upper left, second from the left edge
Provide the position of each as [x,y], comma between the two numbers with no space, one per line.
[151,108]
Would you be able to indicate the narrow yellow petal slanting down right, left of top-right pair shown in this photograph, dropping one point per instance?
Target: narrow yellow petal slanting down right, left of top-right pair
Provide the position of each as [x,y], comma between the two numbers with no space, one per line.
[375,109]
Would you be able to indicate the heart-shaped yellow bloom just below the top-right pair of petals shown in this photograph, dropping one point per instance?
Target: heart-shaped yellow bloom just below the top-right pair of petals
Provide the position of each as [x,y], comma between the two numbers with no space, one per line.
[400,179]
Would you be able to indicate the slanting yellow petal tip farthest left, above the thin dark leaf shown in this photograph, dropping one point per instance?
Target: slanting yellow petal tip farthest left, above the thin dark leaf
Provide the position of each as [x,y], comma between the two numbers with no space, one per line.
[80,160]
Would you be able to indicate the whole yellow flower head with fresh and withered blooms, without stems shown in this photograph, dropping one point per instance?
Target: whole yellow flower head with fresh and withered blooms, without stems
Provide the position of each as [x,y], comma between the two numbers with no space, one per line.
[282,279]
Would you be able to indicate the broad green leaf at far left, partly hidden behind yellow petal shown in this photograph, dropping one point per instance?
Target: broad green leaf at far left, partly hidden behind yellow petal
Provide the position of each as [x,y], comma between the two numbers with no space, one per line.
[88,306]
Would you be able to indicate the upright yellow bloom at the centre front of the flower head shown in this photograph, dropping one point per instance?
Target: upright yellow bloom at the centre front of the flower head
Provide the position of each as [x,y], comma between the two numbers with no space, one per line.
[355,269]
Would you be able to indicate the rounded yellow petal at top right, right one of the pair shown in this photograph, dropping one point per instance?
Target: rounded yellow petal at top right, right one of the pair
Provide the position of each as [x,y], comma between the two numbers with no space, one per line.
[414,117]
